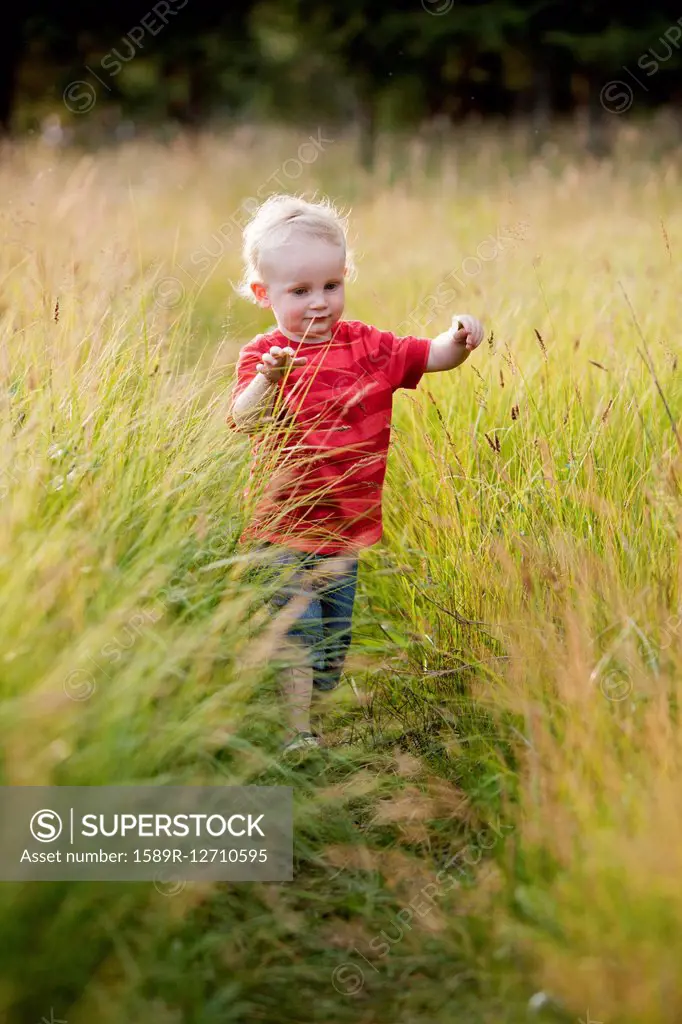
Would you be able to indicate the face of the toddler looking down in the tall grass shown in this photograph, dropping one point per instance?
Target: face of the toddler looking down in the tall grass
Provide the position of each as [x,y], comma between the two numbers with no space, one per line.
[304,282]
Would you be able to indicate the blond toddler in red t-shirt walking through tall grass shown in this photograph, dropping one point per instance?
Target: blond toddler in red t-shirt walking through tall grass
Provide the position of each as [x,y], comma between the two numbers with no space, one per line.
[317,395]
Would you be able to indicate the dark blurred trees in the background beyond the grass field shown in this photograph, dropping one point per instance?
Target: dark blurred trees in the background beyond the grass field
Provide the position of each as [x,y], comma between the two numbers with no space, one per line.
[380,64]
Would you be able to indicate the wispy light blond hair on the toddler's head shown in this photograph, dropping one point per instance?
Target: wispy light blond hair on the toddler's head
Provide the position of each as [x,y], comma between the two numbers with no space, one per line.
[278,221]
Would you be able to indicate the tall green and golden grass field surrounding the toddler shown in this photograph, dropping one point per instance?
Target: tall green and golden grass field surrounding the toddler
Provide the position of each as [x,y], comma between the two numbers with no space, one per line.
[518,632]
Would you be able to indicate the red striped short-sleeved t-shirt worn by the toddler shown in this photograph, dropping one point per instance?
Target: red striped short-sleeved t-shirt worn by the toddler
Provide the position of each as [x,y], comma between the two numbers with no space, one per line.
[319,468]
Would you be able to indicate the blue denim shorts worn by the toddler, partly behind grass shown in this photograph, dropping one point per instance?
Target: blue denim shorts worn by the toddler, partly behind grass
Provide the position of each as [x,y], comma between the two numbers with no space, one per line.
[325,626]
